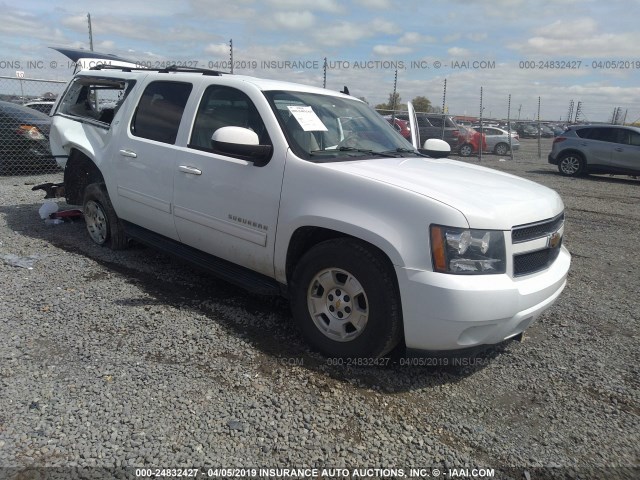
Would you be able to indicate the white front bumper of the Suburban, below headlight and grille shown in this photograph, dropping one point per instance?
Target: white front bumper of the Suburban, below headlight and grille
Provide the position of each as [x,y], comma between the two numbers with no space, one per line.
[451,312]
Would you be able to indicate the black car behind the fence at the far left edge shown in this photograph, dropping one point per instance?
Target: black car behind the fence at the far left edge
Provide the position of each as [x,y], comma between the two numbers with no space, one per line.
[24,139]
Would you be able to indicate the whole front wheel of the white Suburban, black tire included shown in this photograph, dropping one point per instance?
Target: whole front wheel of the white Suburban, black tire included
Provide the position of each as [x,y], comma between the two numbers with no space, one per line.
[357,311]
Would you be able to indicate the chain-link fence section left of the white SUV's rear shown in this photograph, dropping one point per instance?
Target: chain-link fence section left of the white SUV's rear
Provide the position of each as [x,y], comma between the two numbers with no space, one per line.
[25,104]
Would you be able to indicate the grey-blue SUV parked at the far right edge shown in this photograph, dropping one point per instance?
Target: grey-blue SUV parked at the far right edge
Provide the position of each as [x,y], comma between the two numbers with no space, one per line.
[587,149]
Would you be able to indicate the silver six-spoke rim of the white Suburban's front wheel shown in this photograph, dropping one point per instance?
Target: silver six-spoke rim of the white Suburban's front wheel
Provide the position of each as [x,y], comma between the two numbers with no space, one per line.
[338,305]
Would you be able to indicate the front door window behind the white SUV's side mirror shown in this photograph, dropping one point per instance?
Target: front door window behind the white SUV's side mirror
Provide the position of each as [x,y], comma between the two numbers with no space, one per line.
[225,107]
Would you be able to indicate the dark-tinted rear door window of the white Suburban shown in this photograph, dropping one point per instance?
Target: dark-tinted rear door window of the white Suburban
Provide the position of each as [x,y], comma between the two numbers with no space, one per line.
[160,110]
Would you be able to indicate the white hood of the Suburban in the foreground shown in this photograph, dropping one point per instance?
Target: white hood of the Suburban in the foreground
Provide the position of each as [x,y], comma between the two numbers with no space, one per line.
[488,198]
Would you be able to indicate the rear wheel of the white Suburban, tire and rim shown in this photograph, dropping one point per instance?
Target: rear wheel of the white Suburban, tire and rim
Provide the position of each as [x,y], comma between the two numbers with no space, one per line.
[103,225]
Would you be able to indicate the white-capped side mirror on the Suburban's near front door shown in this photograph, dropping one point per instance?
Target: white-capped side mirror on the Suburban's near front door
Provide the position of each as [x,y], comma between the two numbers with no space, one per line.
[241,143]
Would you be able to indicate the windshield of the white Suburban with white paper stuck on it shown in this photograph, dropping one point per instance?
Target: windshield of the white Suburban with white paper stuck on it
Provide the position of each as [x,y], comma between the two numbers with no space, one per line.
[324,128]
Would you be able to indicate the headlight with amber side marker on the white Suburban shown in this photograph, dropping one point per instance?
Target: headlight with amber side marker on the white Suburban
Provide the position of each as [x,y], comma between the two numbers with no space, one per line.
[467,251]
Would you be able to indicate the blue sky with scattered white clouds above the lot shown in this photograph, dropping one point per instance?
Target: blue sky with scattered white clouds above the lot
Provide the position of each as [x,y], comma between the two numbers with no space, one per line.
[553,50]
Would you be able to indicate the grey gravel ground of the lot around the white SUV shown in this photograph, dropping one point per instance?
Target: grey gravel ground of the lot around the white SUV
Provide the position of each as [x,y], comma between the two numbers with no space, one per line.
[132,358]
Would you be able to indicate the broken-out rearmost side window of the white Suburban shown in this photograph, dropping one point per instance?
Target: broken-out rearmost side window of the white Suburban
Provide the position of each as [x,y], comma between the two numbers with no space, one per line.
[95,98]
